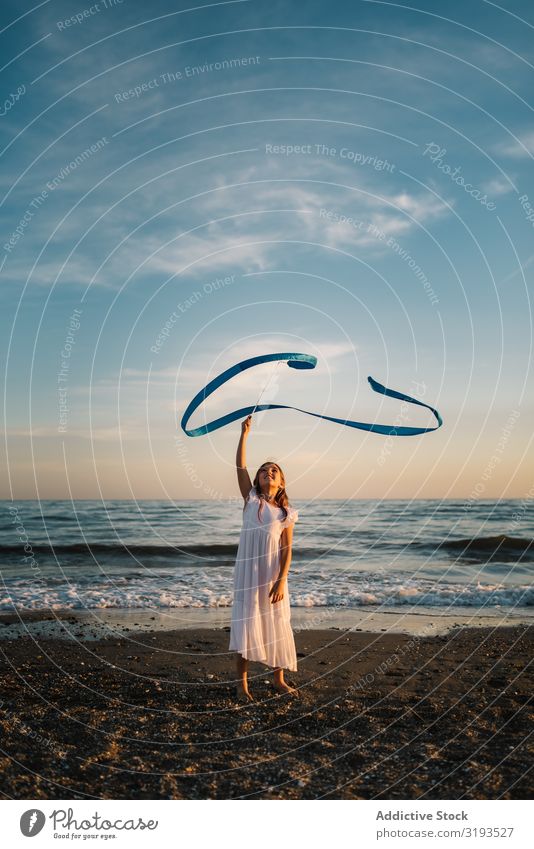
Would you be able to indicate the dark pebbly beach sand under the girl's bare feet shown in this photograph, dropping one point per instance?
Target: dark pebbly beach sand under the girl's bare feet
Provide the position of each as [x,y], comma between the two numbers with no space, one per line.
[152,716]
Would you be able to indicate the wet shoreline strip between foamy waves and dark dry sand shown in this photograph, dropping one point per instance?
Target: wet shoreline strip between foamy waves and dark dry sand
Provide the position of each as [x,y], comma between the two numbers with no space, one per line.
[101,623]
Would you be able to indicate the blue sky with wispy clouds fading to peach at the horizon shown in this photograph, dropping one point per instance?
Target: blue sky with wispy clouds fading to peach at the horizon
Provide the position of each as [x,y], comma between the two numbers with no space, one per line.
[185,186]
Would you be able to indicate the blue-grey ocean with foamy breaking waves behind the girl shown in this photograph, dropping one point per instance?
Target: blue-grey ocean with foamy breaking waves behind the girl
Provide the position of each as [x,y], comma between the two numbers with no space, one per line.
[421,555]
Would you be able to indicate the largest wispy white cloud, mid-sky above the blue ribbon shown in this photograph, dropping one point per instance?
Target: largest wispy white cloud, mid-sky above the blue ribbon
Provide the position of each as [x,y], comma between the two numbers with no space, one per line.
[248,242]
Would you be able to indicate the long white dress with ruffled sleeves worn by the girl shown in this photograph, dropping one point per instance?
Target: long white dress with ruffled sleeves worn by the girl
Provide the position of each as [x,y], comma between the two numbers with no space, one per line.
[261,630]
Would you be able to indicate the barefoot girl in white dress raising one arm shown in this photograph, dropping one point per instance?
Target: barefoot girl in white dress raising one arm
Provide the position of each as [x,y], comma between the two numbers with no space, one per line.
[261,628]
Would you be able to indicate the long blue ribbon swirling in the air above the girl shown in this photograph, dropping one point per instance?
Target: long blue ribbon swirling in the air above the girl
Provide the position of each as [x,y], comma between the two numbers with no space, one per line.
[297,361]
